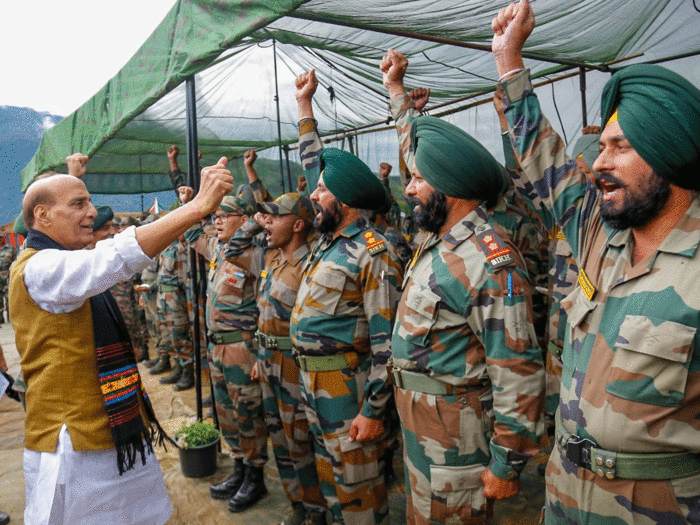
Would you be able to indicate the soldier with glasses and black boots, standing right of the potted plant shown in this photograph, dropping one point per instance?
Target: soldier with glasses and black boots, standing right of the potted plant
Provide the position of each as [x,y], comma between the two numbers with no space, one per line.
[231,315]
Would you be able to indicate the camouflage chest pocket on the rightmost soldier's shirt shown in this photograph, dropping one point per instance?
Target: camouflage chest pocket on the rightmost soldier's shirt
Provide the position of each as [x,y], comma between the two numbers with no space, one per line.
[651,361]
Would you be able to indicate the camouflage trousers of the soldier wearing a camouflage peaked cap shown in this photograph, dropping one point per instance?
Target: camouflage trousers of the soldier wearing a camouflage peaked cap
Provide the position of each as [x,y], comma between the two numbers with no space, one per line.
[292,441]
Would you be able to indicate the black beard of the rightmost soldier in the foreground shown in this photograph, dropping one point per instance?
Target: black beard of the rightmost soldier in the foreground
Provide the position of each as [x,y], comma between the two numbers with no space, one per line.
[636,210]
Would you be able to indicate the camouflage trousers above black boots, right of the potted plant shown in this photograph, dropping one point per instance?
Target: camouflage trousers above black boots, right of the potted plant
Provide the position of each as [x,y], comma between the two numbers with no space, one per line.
[238,400]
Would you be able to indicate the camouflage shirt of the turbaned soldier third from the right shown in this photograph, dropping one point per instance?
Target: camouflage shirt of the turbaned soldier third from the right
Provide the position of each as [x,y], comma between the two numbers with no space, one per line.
[346,302]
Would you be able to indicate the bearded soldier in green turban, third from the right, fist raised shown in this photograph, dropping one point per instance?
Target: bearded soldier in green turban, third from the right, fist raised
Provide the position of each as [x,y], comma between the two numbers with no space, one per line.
[341,327]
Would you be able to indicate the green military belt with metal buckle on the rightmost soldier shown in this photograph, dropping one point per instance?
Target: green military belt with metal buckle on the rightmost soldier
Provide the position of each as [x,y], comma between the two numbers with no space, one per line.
[585,453]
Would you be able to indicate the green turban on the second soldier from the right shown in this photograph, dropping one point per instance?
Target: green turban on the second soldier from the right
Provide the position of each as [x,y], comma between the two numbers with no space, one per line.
[455,163]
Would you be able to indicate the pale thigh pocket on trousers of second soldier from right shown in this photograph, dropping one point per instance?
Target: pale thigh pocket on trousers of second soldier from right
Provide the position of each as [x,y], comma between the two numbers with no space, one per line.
[457,494]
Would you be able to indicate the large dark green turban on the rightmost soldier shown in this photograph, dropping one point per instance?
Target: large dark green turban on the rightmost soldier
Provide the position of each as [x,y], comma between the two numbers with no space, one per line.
[659,113]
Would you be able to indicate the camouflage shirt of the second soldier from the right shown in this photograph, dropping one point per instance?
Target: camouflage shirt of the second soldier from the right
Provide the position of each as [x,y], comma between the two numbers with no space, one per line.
[465,318]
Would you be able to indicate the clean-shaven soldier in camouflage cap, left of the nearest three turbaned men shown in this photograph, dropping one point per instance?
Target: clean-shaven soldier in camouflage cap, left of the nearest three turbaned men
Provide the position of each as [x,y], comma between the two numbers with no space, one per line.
[287,222]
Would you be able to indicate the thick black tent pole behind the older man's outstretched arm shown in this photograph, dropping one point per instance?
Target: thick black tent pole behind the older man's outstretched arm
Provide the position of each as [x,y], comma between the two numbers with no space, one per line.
[193,181]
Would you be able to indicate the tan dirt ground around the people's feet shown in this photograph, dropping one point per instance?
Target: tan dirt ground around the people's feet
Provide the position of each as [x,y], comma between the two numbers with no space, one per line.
[190,497]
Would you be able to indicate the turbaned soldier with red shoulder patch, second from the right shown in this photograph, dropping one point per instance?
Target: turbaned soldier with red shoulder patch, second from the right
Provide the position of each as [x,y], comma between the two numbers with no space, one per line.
[469,375]
